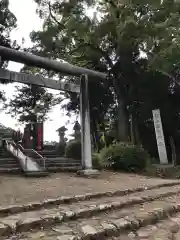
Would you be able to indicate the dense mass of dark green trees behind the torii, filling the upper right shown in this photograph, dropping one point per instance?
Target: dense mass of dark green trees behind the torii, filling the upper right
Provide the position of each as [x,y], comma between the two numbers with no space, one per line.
[135,42]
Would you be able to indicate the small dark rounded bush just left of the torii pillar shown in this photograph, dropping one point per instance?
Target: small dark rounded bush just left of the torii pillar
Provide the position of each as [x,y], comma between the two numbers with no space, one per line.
[73,149]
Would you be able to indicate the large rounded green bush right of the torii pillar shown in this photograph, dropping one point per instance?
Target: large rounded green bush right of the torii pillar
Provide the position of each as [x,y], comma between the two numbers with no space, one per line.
[125,156]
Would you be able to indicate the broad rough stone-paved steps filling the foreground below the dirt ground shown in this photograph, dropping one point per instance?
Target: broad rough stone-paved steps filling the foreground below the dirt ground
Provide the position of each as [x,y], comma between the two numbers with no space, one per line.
[152,212]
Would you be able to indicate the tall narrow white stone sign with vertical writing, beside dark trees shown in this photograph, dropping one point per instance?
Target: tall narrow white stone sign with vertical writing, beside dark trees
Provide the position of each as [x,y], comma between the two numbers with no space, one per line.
[160,137]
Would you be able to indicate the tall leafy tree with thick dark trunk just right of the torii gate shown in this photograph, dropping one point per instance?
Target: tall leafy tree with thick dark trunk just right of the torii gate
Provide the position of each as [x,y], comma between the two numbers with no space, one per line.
[113,41]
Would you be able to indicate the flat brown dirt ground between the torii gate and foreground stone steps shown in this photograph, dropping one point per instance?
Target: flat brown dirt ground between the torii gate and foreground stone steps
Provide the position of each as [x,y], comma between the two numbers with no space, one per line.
[21,190]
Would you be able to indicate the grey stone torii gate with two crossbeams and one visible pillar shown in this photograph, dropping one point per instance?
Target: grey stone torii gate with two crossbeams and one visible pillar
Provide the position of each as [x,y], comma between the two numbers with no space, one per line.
[64,69]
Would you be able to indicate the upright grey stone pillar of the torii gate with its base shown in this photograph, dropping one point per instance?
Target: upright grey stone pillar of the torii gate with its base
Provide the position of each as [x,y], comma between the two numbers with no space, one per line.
[86,153]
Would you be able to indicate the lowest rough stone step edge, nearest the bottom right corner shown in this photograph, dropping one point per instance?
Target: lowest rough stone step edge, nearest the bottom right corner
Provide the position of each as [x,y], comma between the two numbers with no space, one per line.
[115,228]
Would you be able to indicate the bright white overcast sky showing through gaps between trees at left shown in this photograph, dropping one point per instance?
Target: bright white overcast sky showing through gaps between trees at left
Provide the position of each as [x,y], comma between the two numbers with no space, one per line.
[27,21]
